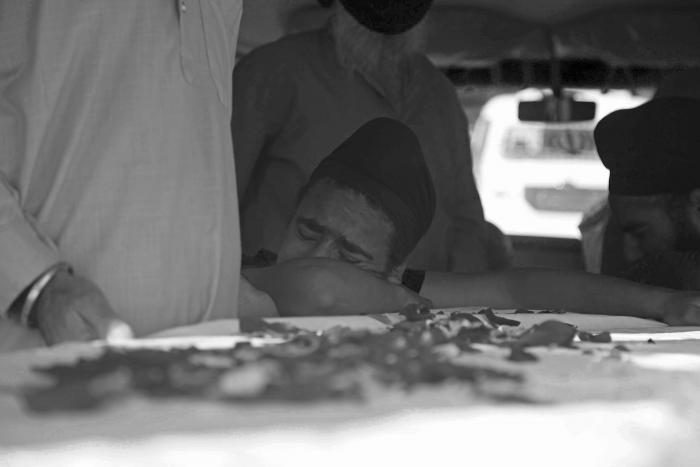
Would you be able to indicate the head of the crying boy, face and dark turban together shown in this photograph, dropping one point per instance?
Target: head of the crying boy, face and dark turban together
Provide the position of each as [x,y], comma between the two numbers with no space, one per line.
[382,167]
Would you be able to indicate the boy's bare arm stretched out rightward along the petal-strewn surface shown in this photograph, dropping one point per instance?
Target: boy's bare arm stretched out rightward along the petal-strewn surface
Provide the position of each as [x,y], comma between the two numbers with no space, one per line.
[574,291]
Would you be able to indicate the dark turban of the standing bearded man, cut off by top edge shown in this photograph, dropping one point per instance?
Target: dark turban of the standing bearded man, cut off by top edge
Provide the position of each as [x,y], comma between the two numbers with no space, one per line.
[387,16]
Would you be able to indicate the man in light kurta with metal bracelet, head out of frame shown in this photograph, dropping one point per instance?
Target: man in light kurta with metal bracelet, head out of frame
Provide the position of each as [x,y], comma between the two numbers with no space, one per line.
[116,163]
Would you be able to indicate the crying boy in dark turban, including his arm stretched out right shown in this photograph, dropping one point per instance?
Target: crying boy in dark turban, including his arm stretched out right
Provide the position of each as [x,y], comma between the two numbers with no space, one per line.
[358,219]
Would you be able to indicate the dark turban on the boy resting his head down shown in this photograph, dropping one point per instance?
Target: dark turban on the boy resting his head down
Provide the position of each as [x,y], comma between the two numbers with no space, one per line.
[383,160]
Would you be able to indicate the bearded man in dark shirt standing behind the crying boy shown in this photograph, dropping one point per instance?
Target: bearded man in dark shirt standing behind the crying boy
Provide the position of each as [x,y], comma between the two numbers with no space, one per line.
[298,97]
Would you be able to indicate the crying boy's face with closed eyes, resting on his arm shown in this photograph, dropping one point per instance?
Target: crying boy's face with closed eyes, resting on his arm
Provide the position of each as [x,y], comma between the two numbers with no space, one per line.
[331,222]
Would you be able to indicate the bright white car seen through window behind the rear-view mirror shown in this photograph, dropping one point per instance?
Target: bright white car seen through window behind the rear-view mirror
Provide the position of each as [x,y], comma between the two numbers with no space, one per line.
[537,178]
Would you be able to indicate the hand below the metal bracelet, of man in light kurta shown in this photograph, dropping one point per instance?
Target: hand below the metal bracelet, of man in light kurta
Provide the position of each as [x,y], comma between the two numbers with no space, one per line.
[71,308]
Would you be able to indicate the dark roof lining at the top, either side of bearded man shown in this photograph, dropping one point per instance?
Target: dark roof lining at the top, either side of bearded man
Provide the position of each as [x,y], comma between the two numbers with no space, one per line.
[646,33]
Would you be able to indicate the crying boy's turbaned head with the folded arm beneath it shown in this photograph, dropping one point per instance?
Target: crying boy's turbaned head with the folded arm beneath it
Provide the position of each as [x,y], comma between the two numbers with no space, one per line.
[365,208]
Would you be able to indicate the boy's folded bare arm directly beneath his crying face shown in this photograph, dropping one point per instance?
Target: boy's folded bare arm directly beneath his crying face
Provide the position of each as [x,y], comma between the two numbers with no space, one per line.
[316,286]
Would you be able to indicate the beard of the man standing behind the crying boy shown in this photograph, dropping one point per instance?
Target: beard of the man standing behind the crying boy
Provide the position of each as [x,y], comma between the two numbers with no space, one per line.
[381,58]
